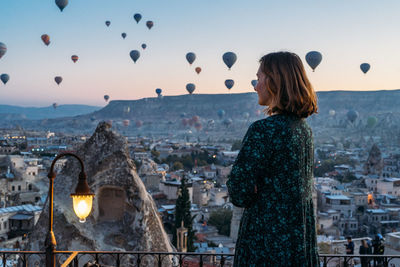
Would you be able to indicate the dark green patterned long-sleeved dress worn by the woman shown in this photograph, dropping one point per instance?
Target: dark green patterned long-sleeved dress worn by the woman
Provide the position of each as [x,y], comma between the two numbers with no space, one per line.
[278,223]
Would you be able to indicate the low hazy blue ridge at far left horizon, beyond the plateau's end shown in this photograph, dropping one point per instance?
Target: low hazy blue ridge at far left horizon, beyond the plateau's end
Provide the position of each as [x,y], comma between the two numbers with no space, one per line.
[38,113]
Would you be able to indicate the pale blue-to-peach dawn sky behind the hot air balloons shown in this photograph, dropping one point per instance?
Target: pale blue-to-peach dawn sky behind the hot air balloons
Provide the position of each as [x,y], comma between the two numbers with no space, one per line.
[346,32]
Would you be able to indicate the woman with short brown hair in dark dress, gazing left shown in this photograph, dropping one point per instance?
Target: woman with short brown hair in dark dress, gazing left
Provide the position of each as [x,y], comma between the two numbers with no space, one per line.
[272,177]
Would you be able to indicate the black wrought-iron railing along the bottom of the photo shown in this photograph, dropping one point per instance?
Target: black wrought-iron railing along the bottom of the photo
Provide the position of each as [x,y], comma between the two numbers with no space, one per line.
[162,259]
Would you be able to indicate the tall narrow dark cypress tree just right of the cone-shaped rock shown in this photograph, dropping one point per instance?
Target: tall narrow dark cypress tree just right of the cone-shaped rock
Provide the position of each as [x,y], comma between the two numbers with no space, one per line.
[182,213]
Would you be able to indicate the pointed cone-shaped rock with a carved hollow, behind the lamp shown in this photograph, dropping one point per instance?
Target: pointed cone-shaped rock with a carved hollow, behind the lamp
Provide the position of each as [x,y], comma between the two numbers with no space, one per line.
[124,216]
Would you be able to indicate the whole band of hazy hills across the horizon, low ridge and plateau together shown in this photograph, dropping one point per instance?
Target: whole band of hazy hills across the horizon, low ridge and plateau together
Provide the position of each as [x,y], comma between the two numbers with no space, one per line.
[164,115]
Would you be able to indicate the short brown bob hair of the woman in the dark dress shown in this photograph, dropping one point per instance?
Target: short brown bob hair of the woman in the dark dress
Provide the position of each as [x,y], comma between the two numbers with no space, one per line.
[287,84]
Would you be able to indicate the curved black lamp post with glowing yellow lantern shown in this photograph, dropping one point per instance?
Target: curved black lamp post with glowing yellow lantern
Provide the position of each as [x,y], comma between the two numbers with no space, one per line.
[82,201]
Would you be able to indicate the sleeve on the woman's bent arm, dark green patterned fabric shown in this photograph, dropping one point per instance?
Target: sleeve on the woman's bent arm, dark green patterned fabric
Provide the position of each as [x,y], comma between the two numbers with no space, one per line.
[247,167]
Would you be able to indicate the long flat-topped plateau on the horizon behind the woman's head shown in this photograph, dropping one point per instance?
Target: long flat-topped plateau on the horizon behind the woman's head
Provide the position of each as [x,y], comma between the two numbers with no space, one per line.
[235,105]
